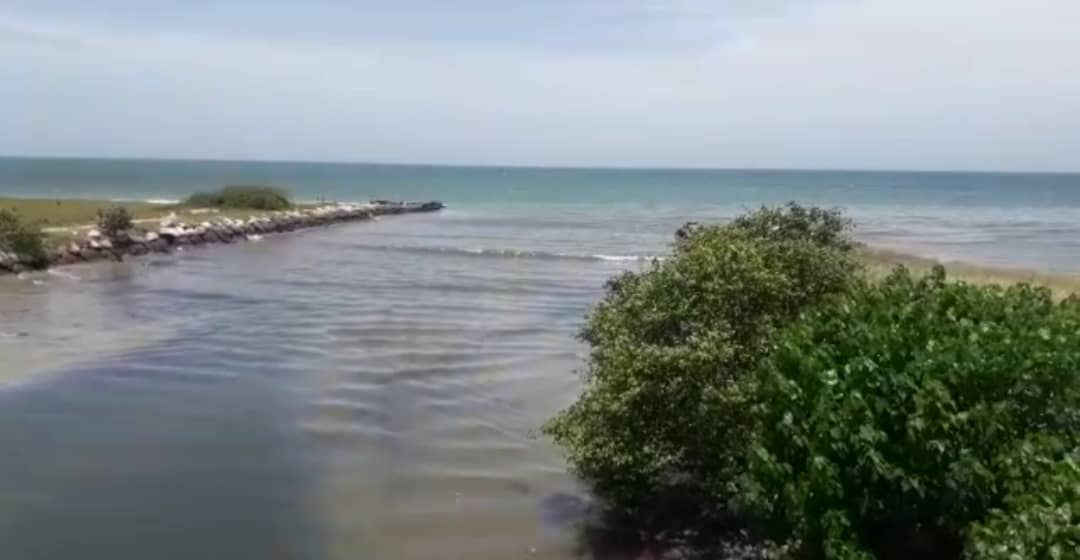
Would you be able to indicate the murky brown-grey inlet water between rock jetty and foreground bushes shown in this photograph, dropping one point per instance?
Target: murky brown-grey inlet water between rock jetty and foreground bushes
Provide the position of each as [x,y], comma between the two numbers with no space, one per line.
[331,394]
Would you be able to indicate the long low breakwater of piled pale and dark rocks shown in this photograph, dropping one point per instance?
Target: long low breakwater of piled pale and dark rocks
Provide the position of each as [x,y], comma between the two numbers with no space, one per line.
[172,234]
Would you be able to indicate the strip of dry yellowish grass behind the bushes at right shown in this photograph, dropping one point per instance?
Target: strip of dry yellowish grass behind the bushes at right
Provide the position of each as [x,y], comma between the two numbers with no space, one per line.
[881,263]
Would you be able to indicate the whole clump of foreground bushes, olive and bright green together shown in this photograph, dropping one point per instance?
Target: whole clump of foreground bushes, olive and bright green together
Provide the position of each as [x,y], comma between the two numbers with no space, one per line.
[766,373]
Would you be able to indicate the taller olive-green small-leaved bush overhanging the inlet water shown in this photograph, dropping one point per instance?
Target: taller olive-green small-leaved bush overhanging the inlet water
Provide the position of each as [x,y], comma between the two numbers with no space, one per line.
[673,348]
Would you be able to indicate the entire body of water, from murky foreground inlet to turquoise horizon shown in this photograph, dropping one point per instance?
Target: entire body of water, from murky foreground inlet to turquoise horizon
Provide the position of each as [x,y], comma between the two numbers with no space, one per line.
[376,390]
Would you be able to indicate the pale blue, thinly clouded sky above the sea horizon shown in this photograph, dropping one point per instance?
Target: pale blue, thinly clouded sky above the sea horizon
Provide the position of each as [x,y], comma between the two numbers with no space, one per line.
[895,85]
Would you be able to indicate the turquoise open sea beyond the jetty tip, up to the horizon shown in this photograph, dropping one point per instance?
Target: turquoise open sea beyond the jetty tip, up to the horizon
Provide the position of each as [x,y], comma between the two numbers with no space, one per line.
[1009,220]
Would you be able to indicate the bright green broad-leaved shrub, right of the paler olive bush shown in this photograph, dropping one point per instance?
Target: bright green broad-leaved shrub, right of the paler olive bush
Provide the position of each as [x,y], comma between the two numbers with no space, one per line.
[895,419]
